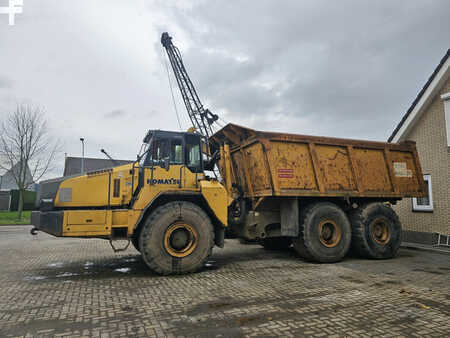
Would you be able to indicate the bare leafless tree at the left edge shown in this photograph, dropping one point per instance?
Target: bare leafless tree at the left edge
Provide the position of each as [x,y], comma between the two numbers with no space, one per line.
[27,150]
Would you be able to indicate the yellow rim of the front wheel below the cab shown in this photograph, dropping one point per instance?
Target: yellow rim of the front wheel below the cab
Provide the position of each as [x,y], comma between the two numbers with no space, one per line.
[180,239]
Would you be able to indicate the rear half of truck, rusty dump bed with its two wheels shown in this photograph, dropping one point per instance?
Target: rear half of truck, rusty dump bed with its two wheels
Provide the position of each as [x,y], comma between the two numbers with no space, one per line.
[319,194]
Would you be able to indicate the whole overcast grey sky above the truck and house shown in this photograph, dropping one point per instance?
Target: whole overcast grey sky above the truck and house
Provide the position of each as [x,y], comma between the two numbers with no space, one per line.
[335,68]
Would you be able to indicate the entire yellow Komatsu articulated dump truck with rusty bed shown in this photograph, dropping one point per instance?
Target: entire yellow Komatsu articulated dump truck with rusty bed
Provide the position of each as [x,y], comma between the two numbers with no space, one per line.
[321,195]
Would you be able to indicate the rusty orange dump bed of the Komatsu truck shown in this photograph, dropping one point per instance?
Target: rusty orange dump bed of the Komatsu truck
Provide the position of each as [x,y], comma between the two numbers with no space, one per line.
[275,164]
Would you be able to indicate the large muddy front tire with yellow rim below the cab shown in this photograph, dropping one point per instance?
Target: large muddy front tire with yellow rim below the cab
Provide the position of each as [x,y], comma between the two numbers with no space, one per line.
[176,238]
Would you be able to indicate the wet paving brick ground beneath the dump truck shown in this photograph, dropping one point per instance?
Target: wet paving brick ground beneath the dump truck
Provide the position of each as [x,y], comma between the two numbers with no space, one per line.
[70,287]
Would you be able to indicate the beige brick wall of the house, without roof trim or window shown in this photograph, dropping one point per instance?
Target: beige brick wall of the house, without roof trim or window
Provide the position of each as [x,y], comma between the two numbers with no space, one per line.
[430,134]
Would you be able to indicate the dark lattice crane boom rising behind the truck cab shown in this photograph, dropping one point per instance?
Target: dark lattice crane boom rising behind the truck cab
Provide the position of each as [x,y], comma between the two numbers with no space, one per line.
[202,119]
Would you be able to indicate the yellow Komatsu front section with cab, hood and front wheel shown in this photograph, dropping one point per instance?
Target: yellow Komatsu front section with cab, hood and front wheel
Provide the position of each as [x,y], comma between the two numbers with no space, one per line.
[164,189]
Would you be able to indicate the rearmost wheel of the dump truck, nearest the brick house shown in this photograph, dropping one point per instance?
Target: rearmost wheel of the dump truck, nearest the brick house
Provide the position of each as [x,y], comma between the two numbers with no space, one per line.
[376,231]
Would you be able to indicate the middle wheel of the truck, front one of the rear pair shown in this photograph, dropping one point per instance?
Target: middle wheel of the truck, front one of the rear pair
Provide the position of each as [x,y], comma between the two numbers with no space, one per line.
[324,233]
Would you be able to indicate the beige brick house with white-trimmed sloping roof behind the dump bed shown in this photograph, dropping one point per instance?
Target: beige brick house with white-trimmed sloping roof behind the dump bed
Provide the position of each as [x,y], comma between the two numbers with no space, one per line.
[427,122]
